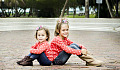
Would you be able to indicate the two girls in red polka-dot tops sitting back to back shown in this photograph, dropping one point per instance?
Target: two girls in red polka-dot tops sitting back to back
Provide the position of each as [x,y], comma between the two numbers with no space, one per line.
[60,48]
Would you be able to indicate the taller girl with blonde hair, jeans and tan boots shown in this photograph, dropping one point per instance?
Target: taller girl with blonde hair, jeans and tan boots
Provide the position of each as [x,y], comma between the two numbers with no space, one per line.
[62,47]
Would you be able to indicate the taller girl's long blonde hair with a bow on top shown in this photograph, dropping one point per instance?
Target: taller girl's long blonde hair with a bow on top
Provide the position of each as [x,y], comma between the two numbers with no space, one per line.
[59,24]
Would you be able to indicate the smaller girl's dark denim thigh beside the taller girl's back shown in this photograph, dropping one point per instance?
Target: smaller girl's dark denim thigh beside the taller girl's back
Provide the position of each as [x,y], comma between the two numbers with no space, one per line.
[43,60]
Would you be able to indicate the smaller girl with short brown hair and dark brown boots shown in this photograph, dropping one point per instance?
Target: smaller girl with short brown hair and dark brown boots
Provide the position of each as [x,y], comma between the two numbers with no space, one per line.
[38,51]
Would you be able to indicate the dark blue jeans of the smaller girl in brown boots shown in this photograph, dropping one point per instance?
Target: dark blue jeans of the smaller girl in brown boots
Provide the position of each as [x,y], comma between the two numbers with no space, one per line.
[41,58]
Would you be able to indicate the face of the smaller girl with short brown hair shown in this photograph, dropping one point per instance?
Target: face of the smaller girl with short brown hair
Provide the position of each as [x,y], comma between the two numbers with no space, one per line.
[41,36]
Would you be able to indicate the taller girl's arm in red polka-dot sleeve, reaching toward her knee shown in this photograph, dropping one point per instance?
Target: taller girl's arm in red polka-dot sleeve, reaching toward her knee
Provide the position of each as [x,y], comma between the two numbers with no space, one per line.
[59,43]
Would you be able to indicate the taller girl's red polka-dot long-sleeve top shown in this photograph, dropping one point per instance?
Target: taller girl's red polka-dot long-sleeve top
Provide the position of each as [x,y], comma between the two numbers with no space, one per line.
[57,45]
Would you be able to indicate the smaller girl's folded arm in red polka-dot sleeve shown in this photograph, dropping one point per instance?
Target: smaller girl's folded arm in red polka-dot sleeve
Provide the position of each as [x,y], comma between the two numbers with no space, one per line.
[40,49]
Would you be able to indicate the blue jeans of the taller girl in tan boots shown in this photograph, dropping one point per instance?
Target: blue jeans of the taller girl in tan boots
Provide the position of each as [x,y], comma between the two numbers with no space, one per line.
[62,58]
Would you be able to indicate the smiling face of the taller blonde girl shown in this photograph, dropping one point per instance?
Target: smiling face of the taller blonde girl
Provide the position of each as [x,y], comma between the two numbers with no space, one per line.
[64,31]
